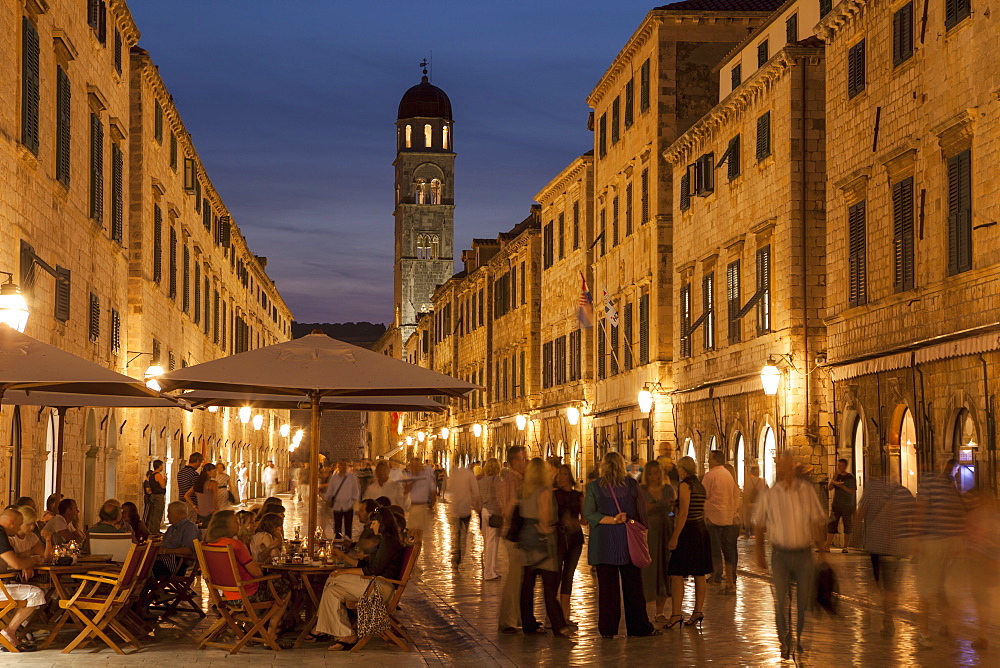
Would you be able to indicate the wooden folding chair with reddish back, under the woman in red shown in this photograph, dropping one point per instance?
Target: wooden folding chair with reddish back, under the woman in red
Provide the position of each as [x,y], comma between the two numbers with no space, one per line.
[248,621]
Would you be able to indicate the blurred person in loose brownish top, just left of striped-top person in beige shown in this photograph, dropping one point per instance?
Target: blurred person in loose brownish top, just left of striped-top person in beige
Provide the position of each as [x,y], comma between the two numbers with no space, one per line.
[885,515]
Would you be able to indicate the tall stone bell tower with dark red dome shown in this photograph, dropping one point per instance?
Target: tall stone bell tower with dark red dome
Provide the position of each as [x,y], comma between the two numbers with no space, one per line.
[425,201]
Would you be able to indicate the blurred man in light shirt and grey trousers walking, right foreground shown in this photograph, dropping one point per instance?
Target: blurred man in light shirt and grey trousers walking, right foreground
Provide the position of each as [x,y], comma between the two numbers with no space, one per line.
[790,516]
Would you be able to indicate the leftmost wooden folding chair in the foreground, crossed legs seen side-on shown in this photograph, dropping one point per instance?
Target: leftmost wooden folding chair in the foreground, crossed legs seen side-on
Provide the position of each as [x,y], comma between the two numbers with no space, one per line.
[98,611]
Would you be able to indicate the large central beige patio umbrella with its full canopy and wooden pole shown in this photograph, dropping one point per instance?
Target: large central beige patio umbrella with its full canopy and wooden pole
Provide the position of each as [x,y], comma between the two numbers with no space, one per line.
[314,366]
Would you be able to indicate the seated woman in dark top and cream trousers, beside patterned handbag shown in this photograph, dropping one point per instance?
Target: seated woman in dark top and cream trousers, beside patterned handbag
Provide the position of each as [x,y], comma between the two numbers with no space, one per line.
[347,584]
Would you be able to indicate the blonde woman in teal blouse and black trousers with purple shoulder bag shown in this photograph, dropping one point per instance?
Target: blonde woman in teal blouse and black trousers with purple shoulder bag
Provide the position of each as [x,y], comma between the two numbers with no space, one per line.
[612,500]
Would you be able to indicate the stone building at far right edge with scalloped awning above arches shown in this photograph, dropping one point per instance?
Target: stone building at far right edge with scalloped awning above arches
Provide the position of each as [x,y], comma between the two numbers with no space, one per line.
[912,248]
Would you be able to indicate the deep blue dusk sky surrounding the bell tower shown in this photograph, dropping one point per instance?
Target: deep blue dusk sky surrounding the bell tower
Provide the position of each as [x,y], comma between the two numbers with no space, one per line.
[292,108]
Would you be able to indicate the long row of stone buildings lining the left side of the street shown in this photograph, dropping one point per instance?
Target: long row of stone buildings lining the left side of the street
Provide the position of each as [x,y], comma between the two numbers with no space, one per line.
[103,234]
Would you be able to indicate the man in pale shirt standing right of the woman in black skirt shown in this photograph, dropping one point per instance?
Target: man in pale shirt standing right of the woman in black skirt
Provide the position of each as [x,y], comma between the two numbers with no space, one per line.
[722,501]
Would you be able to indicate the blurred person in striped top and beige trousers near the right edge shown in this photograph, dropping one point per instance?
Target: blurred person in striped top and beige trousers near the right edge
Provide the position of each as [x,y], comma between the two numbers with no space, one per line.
[942,526]
